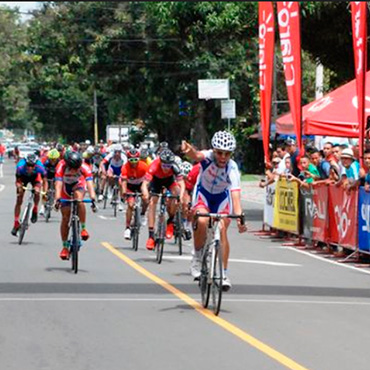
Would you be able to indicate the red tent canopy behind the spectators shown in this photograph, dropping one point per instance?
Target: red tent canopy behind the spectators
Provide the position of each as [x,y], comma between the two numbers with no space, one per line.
[335,114]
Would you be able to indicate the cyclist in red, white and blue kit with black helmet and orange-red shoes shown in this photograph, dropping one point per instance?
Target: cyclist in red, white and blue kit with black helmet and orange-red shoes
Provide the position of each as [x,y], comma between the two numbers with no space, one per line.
[71,180]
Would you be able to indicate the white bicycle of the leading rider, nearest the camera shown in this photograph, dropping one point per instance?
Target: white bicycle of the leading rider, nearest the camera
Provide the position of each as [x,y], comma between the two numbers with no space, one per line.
[211,273]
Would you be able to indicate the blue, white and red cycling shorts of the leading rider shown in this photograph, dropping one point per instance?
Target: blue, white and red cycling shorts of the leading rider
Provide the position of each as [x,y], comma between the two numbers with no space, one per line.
[213,203]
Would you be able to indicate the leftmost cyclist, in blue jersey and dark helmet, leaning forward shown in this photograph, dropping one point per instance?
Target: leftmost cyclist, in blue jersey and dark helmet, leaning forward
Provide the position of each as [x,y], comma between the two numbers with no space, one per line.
[28,170]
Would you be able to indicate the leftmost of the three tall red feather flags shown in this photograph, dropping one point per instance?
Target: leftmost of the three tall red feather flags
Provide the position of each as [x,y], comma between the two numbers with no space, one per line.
[266,33]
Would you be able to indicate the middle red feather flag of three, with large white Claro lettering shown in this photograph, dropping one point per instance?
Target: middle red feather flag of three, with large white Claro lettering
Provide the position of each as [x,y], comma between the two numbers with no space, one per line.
[290,41]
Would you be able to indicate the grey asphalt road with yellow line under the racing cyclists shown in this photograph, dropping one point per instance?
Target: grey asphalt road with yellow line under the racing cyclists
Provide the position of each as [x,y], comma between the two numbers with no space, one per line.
[288,309]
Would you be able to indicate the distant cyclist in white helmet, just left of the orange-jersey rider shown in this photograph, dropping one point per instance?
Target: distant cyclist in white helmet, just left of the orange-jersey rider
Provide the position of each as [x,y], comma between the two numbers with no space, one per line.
[111,166]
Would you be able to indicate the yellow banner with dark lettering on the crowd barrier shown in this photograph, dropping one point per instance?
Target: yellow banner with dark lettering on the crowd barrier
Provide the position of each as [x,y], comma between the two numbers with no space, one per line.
[286,206]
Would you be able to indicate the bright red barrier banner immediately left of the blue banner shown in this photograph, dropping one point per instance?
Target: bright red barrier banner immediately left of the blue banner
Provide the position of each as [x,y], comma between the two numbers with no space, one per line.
[343,217]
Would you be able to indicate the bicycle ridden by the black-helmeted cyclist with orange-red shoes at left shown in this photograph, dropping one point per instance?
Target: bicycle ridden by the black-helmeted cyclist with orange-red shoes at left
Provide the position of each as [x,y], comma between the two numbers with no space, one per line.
[74,228]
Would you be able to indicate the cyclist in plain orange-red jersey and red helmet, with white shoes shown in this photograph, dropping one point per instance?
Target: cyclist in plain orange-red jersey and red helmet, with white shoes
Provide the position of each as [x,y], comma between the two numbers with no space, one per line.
[132,177]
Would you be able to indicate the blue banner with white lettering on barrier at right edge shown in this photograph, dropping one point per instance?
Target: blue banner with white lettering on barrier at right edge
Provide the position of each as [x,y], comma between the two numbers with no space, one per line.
[364,220]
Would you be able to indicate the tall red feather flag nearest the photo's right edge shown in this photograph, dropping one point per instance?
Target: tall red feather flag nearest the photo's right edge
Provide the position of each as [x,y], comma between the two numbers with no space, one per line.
[359,35]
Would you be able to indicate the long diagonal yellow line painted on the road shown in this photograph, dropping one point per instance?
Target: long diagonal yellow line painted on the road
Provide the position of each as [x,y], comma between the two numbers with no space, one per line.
[231,328]
